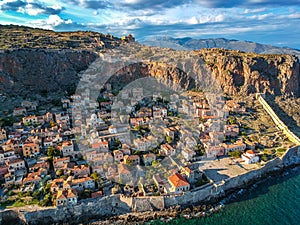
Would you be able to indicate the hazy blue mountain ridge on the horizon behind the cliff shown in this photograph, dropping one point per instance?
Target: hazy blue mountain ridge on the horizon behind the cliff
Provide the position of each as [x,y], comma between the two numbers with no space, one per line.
[194,44]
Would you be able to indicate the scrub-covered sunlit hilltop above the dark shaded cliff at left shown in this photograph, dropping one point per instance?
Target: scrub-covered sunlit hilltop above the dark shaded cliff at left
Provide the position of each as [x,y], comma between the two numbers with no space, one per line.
[17,37]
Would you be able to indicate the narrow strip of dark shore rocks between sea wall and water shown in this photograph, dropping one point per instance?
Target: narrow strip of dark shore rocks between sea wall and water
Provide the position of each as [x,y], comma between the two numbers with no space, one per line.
[201,210]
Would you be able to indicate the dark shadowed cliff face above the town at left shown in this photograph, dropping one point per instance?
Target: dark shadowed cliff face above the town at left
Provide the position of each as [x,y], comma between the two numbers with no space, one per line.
[27,71]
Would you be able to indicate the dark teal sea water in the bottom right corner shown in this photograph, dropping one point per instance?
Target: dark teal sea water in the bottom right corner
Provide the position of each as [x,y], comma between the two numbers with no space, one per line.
[275,201]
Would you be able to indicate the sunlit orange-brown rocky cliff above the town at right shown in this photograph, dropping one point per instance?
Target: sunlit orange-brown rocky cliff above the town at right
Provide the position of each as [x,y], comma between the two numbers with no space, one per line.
[234,71]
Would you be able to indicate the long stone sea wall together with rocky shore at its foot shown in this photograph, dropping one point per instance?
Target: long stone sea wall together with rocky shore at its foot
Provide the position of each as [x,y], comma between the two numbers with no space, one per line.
[117,210]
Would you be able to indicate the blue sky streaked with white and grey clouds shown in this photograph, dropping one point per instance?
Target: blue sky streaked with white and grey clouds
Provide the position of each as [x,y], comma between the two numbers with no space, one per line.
[274,22]
